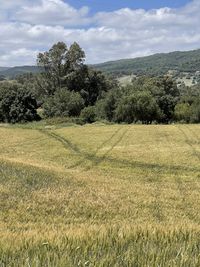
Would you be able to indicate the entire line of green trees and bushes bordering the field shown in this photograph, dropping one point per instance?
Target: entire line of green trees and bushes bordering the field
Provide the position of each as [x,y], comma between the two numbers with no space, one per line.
[67,87]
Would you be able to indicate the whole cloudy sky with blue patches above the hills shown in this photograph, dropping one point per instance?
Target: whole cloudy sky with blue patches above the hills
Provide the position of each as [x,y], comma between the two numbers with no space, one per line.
[105,29]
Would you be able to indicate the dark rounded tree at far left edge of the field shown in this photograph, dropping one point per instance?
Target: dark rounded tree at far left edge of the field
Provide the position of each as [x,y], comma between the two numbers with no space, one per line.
[17,104]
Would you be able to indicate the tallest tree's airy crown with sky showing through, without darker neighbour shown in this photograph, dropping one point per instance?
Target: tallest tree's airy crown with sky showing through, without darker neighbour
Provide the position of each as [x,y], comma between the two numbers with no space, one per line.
[58,64]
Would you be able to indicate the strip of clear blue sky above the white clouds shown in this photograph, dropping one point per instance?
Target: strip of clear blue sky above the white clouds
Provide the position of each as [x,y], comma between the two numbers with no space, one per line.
[111,5]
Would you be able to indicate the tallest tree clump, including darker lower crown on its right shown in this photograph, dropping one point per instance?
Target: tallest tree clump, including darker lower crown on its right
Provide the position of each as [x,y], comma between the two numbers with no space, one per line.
[64,67]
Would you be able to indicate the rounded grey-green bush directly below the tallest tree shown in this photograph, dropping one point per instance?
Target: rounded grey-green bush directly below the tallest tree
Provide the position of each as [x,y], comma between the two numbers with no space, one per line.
[63,103]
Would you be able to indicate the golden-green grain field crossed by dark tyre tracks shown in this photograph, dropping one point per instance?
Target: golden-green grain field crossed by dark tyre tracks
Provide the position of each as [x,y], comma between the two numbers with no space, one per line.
[100,195]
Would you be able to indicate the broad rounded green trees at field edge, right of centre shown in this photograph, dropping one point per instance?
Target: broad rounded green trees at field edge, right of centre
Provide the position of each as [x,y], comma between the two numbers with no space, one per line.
[145,100]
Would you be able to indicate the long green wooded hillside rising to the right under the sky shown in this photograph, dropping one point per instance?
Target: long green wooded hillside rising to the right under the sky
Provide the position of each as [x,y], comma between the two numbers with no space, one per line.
[157,64]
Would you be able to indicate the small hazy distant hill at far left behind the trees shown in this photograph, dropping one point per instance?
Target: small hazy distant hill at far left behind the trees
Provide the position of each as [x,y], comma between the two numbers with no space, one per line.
[15,71]
